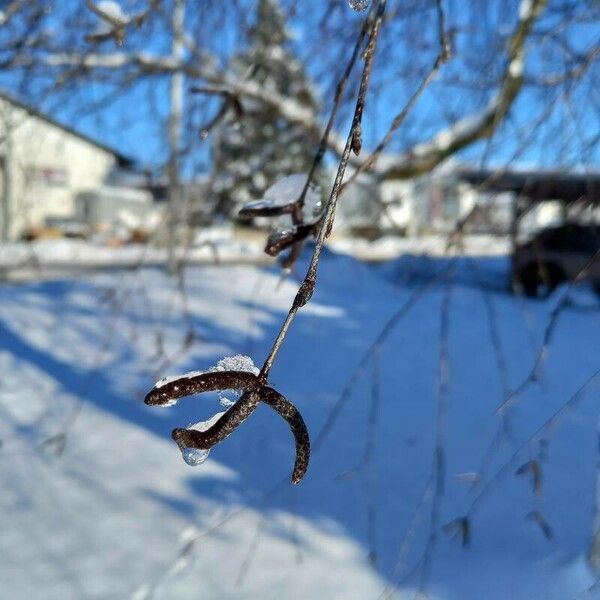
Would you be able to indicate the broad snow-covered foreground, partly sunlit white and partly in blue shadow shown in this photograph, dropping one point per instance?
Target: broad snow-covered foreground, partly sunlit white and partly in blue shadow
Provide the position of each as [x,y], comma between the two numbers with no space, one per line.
[116,513]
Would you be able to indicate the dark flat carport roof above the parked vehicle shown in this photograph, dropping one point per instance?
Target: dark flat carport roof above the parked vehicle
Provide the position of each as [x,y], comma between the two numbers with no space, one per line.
[565,186]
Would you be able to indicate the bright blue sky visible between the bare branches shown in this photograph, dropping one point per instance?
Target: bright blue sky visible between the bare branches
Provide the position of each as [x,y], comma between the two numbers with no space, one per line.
[135,123]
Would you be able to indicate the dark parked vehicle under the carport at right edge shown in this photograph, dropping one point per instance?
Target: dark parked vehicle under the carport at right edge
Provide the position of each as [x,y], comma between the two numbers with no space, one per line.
[555,255]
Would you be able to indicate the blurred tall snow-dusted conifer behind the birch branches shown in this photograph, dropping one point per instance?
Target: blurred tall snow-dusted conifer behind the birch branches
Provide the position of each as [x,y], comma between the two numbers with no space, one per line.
[252,150]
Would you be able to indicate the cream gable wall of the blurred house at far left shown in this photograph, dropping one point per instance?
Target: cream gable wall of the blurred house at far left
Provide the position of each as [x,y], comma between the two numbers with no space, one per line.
[46,168]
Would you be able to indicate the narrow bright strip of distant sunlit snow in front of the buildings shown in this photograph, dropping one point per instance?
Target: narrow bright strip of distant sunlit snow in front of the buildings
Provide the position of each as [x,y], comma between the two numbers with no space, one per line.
[45,258]
